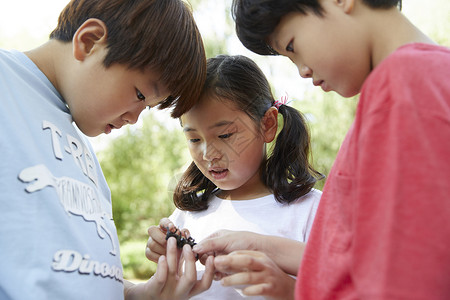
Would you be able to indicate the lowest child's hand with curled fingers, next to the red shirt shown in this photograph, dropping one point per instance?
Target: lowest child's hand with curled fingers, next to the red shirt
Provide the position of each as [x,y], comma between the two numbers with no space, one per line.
[256,274]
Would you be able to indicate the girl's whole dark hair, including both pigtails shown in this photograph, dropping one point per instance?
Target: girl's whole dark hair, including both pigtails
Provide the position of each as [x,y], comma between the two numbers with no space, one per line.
[287,171]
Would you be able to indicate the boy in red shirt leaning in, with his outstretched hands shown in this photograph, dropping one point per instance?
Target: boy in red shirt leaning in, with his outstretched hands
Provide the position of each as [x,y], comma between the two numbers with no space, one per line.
[382,229]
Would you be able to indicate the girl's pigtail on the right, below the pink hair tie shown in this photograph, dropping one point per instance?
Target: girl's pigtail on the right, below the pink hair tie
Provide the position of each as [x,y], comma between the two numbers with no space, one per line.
[288,171]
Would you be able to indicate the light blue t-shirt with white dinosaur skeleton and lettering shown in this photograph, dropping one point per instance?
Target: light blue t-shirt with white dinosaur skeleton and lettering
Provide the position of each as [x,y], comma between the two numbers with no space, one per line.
[57,236]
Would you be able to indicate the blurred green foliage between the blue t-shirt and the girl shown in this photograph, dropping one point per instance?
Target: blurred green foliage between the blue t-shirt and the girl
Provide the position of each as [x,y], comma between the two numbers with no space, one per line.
[139,166]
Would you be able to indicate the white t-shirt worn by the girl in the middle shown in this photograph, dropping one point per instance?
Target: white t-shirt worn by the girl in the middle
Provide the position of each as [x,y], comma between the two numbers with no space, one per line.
[263,215]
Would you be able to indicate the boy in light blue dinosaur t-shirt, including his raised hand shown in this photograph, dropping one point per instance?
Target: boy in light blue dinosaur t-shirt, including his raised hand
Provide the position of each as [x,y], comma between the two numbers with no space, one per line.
[104,63]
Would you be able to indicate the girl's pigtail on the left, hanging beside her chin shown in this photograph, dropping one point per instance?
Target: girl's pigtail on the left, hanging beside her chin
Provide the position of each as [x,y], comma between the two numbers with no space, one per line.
[193,190]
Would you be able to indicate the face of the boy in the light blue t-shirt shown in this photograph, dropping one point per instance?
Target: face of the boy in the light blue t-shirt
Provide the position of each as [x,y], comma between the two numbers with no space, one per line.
[101,99]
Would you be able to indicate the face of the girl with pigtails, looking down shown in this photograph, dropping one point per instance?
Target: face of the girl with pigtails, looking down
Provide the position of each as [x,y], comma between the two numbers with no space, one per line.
[227,146]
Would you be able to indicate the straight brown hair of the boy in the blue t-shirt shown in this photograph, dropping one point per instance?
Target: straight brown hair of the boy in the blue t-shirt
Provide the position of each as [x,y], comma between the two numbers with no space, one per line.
[157,34]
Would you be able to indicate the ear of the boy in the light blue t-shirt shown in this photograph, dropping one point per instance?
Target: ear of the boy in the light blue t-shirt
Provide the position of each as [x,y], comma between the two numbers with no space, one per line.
[88,37]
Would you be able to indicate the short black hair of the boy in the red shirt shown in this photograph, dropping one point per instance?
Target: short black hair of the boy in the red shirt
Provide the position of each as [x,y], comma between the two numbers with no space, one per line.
[257,19]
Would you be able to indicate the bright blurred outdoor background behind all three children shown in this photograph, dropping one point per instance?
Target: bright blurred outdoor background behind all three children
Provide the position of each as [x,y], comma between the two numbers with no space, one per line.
[141,163]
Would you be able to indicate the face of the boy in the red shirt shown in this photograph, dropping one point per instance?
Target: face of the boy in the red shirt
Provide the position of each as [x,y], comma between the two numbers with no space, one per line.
[330,49]
